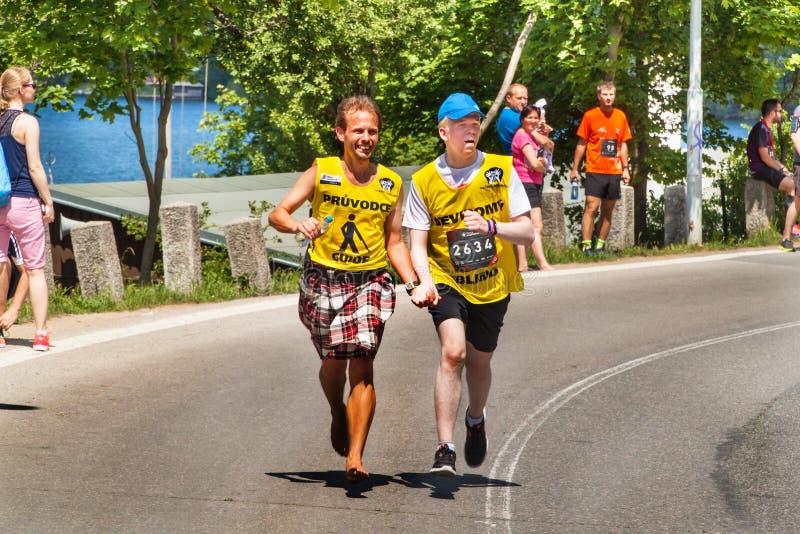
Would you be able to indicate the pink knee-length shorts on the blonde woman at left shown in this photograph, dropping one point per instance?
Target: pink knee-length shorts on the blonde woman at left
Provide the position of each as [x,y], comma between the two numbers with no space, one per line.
[23,216]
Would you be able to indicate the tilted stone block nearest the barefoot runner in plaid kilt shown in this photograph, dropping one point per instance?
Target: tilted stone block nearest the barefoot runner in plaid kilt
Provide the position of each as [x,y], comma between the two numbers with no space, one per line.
[247,251]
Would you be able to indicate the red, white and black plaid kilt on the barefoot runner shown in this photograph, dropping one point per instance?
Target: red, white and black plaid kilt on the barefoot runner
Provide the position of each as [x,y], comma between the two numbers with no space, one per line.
[345,311]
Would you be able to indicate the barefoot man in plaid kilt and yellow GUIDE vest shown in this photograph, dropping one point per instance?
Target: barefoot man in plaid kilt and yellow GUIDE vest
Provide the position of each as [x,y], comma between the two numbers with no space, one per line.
[346,294]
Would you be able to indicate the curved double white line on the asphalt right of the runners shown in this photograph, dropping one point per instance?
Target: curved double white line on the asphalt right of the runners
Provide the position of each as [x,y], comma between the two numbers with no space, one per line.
[505,464]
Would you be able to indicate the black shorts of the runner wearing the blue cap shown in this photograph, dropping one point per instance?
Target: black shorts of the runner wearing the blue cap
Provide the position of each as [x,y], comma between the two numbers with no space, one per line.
[482,322]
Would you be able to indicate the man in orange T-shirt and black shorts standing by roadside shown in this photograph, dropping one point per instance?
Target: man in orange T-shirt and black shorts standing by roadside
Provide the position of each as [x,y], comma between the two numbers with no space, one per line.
[602,137]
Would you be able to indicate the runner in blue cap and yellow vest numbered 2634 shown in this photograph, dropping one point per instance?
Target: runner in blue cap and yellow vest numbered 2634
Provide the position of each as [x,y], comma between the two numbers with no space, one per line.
[465,211]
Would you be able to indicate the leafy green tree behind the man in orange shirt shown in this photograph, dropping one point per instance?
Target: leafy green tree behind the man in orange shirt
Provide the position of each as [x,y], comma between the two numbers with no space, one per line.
[643,47]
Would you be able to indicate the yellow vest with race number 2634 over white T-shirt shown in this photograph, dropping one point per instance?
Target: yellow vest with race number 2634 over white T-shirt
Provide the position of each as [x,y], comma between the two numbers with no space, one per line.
[482,268]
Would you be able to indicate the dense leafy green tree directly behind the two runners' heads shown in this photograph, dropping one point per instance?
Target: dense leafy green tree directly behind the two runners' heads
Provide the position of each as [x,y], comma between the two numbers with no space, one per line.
[297,59]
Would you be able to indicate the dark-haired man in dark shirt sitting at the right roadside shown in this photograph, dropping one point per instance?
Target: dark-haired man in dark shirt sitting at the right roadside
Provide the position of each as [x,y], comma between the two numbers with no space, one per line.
[764,166]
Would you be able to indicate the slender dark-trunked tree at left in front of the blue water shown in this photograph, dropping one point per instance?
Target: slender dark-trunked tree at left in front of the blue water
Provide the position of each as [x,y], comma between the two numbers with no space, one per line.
[116,48]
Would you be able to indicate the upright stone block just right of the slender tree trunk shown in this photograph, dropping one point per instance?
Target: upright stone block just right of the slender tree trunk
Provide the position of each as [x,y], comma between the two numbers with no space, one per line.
[180,240]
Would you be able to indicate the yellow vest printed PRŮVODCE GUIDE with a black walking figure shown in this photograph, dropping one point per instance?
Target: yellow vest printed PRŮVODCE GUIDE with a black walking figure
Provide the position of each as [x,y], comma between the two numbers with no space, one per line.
[355,239]
